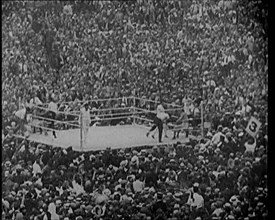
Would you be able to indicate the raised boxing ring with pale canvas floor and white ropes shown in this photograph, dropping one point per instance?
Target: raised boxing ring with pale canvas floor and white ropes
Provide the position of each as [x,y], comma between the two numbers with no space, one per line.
[132,121]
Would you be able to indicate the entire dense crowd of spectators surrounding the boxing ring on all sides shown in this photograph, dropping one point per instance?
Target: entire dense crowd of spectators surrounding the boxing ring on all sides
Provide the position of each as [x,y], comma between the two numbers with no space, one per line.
[179,51]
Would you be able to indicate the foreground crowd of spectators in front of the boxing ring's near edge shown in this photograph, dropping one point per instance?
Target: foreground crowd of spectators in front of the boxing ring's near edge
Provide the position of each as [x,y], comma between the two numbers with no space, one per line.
[200,179]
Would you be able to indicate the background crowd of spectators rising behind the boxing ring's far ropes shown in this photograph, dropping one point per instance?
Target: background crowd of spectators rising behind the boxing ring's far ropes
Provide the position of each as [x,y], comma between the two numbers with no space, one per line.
[105,49]
